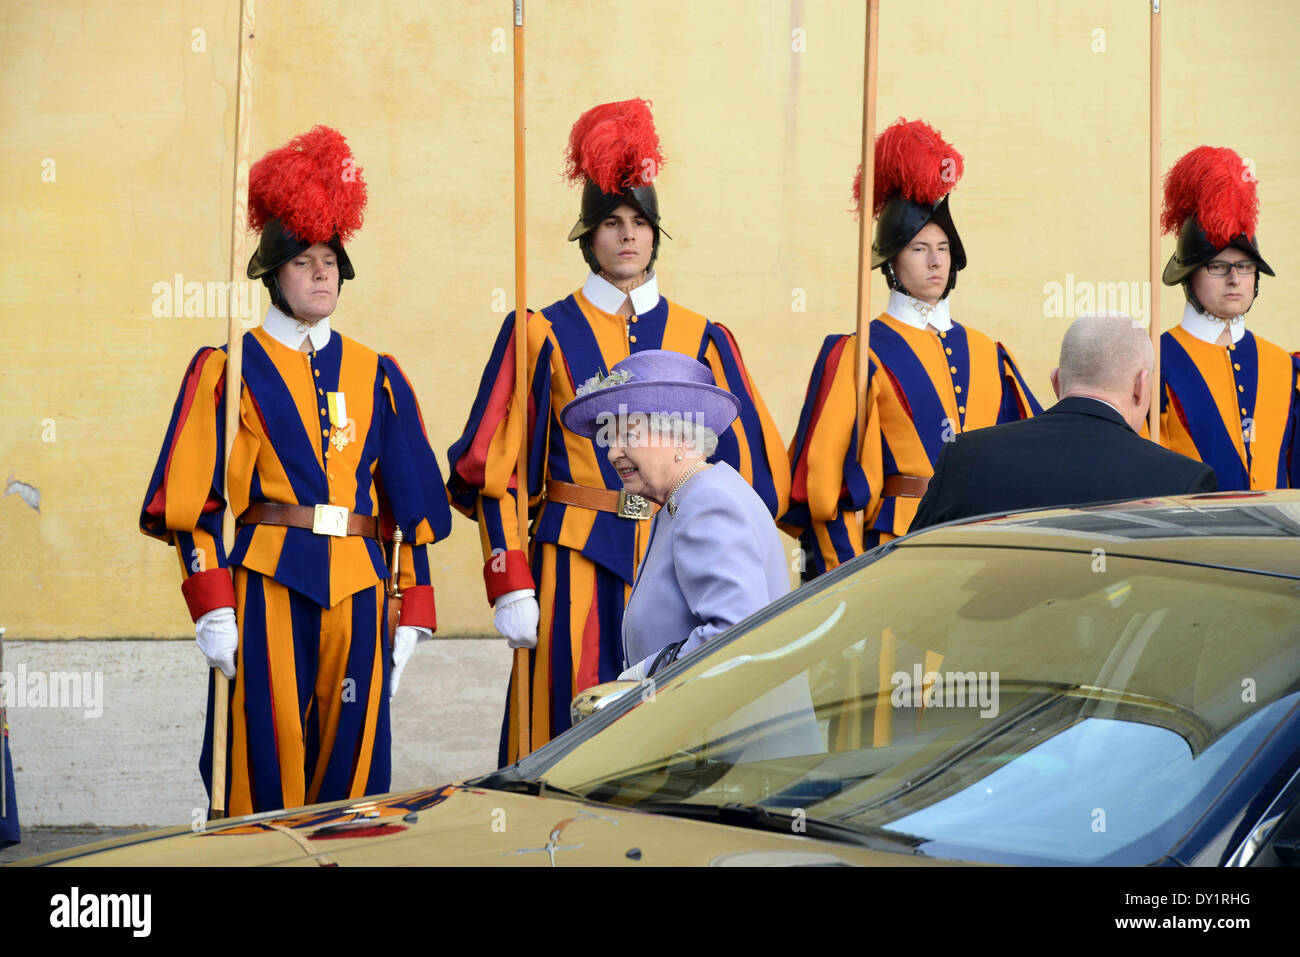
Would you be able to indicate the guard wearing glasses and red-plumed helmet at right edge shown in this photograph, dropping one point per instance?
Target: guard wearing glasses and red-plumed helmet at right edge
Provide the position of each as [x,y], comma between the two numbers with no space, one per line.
[1228,397]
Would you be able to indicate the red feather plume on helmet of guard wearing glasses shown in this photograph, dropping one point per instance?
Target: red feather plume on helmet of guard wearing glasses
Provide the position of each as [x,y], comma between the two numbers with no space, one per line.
[1215,184]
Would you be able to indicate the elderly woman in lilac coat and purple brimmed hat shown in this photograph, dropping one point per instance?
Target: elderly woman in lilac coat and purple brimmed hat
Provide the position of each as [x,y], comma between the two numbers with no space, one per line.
[716,556]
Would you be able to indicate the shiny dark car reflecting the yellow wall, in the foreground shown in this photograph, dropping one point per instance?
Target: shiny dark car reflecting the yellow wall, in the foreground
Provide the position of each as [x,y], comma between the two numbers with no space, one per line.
[1107,686]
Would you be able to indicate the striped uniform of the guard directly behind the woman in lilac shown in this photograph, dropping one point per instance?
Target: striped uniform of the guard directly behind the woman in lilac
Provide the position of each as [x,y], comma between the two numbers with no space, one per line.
[583,561]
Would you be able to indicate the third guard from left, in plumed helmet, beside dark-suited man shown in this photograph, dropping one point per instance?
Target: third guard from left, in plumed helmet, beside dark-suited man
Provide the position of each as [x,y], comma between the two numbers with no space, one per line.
[929,378]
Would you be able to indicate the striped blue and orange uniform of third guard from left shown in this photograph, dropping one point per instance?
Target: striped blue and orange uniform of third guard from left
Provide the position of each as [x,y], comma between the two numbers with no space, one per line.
[924,388]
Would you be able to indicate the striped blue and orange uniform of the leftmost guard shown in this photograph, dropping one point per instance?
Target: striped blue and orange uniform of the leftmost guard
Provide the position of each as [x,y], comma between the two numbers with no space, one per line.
[310,701]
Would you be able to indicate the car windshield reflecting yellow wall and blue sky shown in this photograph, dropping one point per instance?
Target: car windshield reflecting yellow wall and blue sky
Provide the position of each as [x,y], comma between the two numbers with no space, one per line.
[978,704]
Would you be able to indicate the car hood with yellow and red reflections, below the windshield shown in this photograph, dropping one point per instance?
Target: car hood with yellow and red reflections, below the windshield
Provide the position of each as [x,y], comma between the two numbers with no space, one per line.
[458,825]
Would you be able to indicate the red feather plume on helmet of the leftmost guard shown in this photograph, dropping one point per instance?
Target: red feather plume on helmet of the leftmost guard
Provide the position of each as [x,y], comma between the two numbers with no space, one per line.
[313,185]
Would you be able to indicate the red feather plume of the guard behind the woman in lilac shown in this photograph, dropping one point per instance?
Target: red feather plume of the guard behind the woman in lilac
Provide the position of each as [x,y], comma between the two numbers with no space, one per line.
[616,146]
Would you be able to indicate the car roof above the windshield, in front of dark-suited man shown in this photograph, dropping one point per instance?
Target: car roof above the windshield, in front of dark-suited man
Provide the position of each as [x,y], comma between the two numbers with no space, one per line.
[1249,531]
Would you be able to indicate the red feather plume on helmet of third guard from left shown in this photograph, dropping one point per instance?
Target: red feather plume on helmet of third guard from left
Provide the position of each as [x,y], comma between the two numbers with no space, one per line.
[913,159]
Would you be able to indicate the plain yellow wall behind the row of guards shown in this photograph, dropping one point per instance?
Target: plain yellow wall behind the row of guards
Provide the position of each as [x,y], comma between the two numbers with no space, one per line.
[761,145]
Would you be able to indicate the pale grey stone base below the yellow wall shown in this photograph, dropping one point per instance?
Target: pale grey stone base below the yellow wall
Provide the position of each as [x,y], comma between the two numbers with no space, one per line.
[129,756]
